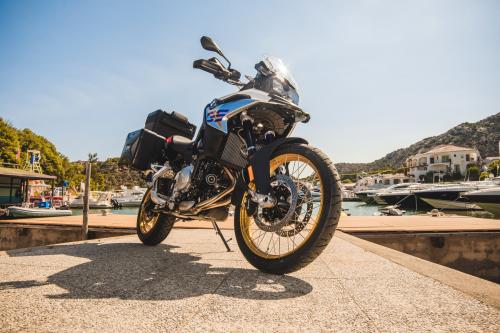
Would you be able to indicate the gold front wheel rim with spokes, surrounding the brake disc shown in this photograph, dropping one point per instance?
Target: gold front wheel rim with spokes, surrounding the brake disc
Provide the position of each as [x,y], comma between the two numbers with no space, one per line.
[290,238]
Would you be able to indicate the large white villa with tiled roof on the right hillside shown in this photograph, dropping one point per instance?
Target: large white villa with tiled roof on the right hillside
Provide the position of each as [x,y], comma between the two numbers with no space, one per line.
[441,161]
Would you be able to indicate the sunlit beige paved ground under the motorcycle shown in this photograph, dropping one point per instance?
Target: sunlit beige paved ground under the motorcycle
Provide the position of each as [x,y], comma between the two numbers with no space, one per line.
[190,283]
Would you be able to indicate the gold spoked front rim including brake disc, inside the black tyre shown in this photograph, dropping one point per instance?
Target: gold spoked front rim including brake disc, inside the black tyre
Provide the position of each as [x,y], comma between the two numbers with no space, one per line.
[259,233]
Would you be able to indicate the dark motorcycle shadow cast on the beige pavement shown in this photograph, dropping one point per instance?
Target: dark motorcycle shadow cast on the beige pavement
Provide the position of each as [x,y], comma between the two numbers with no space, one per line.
[137,272]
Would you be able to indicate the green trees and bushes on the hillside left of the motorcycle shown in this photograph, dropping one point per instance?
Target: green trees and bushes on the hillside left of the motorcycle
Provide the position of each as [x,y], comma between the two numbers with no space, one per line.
[106,175]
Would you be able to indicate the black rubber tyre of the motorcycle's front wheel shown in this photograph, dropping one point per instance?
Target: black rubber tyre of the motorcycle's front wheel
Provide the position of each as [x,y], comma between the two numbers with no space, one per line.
[318,238]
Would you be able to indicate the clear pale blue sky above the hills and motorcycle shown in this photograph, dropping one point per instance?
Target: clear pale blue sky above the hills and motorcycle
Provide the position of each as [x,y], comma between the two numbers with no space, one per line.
[374,75]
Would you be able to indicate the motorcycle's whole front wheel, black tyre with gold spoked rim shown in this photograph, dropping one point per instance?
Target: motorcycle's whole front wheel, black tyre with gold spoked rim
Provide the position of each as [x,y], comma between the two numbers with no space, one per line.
[298,228]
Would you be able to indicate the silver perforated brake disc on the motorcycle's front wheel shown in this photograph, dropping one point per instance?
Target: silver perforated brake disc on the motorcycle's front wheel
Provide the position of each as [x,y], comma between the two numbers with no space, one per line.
[275,224]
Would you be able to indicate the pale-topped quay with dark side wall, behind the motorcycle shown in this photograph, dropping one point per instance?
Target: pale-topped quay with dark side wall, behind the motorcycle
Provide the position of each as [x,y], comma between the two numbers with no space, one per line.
[467,244]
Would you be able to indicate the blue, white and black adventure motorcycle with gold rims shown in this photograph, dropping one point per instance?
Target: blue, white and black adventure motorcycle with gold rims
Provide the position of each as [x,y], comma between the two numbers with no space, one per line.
[286,194]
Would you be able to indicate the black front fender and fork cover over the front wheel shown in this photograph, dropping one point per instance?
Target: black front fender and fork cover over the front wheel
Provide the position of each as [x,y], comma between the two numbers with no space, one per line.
[257,169]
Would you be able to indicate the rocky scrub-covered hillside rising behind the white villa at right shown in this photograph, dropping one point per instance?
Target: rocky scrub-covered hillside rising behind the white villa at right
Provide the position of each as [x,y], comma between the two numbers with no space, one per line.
[483,135]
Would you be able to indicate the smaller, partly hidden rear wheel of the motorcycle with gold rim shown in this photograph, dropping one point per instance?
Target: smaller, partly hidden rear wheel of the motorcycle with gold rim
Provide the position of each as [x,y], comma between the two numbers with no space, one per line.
[152,227]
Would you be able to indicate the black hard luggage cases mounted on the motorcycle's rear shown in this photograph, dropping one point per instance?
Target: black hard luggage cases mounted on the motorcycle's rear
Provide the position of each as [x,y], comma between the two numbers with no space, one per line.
[142,148]
